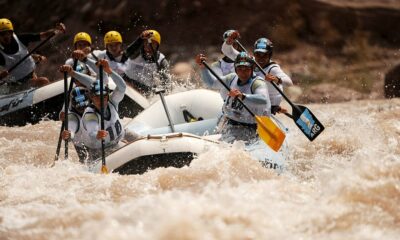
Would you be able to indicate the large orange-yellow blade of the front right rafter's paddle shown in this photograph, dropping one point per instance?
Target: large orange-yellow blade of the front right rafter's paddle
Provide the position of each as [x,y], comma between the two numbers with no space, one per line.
[271,134]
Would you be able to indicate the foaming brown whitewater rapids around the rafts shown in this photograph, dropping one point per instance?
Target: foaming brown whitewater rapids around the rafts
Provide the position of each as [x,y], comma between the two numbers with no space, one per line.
[344,185]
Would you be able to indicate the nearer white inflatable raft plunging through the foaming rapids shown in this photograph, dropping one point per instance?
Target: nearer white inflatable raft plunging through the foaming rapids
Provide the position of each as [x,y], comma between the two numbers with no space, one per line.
[194,115]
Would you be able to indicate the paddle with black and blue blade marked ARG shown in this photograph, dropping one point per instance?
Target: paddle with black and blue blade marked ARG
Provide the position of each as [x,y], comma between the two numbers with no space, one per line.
[305,120]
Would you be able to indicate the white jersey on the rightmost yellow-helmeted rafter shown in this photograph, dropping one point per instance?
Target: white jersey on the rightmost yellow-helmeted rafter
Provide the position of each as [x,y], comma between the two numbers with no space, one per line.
[144,72]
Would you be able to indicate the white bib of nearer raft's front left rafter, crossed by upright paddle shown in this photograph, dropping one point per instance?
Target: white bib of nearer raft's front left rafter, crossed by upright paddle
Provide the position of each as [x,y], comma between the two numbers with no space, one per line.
[91,124]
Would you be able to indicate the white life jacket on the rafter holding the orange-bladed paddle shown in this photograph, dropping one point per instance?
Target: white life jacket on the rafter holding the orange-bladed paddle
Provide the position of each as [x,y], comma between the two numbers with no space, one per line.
[234,110]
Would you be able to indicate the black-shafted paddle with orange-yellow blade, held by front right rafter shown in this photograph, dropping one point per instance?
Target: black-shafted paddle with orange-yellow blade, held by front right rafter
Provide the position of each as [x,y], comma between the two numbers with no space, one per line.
[271,134]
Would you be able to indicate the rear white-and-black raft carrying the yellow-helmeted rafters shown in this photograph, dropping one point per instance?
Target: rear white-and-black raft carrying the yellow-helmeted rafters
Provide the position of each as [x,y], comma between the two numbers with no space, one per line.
[33,105]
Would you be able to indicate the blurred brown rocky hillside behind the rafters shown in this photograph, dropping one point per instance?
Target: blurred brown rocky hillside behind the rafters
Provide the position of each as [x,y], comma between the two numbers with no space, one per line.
[350,43]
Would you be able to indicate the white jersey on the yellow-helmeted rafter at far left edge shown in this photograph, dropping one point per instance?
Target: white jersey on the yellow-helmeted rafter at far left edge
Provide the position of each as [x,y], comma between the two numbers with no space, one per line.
[23,69]
